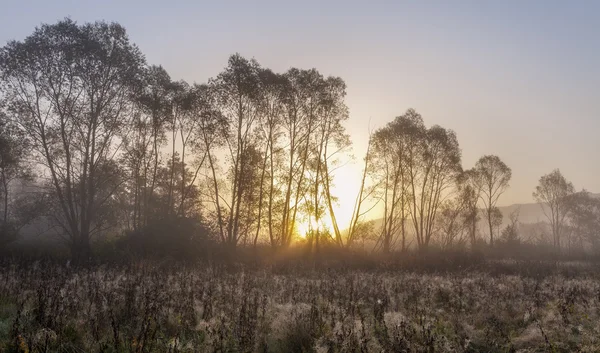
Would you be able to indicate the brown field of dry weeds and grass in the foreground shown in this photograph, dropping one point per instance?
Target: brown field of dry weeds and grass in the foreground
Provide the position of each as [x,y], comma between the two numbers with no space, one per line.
[491,307]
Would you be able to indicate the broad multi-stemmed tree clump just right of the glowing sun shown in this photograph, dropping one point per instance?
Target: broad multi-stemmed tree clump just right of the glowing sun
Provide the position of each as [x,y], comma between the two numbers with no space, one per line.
[417,169]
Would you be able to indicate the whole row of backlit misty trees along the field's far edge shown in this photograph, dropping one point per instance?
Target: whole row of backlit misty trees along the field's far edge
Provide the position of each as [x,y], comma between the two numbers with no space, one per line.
[96,141]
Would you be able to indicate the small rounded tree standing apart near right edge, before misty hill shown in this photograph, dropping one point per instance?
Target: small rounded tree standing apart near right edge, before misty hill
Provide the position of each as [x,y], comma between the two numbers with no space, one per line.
[552,194]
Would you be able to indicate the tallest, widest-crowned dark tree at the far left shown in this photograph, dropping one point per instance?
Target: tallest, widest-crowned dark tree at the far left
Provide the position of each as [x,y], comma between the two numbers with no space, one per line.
[70,88]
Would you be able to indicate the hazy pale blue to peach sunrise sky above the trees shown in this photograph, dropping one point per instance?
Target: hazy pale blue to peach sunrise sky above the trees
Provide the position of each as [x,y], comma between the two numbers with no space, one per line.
[520,79]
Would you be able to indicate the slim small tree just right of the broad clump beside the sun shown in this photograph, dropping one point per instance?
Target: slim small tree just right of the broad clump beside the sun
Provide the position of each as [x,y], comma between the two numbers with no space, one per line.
[492,176]
